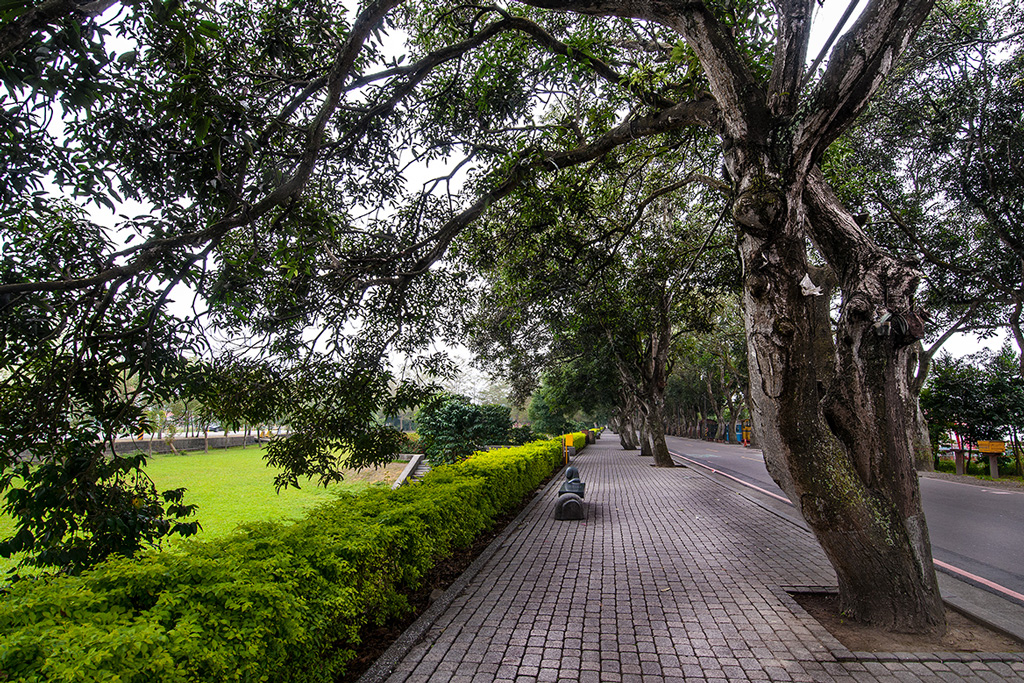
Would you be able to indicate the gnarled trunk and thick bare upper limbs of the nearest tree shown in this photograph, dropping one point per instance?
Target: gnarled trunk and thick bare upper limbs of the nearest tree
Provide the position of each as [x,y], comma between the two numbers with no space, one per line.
[838,442]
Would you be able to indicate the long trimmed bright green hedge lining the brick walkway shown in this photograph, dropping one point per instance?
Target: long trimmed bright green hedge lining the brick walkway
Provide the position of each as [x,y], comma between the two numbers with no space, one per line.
[271,603]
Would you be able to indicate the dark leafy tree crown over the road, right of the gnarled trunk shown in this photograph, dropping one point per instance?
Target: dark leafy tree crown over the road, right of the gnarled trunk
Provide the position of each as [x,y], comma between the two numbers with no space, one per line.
[934,166]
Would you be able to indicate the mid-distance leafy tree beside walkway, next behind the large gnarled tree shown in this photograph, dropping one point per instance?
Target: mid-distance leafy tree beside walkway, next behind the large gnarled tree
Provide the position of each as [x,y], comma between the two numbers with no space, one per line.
[628,264]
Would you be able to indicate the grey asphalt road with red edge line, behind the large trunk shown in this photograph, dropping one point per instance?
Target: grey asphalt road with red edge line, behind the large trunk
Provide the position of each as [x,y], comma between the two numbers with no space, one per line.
[975,530]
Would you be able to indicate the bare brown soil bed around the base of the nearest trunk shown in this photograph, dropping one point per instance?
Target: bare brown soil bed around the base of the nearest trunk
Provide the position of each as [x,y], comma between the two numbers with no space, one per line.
[963,633]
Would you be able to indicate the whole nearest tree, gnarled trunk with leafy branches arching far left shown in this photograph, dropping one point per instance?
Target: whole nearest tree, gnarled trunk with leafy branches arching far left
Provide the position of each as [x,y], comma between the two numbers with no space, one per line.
[273,144]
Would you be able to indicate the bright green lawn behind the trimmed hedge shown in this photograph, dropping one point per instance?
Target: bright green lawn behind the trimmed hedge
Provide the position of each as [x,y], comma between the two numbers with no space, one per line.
[235,486]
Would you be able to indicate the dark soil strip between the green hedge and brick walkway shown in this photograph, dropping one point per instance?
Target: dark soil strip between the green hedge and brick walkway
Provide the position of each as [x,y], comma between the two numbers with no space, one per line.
[376,639]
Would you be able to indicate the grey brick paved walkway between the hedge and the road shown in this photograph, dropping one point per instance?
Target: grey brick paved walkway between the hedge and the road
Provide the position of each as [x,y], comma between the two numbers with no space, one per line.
[671,578]
